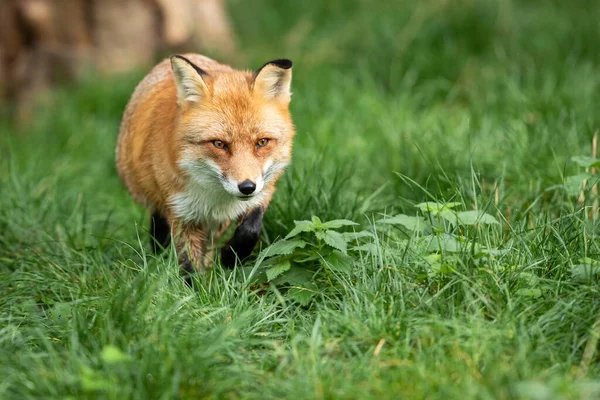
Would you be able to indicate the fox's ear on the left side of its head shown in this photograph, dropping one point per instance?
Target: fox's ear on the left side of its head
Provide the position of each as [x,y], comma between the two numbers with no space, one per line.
[191,86]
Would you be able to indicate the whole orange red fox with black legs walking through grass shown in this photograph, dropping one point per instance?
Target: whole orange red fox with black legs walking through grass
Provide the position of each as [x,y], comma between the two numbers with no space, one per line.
[202,144]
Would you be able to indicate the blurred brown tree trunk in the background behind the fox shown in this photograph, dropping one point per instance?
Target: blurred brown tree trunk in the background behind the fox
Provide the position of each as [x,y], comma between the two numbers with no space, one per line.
[46,41]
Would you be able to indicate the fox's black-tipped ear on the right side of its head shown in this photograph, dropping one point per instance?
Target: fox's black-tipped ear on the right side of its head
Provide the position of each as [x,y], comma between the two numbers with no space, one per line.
[273,80]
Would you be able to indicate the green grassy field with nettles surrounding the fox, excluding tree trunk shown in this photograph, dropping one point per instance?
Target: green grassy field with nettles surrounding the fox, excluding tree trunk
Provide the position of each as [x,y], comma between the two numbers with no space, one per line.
[484,110]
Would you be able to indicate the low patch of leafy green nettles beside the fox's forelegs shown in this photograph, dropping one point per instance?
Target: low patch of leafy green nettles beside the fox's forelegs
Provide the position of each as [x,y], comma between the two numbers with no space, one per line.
[314,249]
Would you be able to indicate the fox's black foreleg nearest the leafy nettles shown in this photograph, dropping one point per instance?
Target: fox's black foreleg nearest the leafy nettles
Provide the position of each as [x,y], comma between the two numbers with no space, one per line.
[244,239]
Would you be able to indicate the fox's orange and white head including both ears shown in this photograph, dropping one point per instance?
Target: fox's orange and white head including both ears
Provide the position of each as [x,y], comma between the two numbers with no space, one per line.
[234,128]
